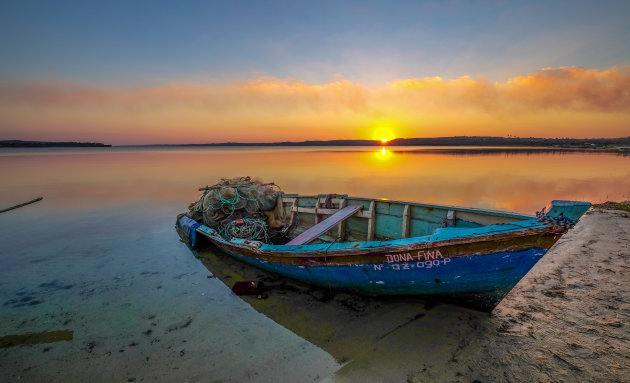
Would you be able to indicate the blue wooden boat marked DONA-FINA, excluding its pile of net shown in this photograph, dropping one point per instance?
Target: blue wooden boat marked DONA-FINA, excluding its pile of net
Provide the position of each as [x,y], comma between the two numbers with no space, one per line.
[383,247]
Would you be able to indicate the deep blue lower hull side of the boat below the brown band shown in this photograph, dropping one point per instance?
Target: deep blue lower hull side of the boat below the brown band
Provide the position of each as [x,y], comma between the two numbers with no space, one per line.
[487,277]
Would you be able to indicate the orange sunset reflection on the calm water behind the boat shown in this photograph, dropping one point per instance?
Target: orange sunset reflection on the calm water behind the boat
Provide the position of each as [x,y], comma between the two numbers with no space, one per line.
[516,181]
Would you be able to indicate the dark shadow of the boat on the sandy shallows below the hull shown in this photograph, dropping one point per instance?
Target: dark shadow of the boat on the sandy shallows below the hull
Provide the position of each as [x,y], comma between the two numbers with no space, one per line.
[347,326]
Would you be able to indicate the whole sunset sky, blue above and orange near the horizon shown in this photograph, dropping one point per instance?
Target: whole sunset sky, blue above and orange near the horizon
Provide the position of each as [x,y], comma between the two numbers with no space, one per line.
[148,72]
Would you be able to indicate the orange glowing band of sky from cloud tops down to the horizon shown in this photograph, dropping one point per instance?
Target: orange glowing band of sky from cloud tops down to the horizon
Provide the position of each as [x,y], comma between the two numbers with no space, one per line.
[552,102]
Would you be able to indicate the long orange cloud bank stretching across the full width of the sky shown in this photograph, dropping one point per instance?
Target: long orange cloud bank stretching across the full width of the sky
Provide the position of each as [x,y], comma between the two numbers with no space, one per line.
[566,88]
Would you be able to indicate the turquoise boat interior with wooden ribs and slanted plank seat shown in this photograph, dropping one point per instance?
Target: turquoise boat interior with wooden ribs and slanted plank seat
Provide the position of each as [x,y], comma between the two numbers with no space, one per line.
[331,218]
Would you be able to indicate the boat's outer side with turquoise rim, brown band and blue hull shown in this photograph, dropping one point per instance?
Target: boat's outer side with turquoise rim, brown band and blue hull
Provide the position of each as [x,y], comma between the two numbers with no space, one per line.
[471,265]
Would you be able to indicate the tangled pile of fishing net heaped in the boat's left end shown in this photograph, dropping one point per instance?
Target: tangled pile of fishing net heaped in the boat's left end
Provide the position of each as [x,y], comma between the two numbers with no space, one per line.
[243,208]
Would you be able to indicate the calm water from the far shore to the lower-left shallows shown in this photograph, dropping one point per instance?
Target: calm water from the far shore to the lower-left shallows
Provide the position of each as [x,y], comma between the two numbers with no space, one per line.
[99,254]
